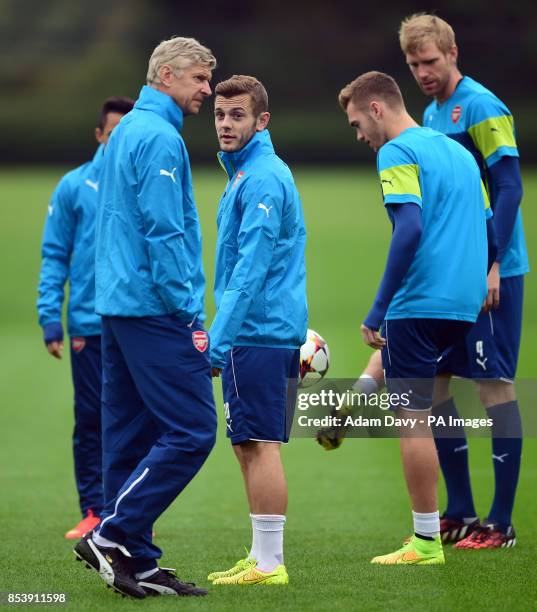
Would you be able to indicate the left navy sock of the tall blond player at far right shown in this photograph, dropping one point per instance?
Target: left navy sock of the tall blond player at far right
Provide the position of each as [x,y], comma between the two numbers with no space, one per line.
[452,448]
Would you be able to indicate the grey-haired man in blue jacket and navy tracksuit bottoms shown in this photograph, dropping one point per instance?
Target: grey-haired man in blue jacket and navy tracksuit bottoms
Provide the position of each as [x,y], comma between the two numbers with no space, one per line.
[158,415]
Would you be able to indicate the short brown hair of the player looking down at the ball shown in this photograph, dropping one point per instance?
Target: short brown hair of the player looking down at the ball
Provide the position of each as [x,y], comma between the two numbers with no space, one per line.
[369,86]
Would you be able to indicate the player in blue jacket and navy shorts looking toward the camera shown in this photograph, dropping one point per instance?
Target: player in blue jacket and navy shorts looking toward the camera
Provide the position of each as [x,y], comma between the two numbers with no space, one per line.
[261,318]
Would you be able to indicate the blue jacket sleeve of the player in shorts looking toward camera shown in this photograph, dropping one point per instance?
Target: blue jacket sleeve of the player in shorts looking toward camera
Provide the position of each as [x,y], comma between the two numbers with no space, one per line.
[261,209]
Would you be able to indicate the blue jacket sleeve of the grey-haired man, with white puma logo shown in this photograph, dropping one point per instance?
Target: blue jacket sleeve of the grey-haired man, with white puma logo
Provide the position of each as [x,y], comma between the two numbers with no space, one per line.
[160,168]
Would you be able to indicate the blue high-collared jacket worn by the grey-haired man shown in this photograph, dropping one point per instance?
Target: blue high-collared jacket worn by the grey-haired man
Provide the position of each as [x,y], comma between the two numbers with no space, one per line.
[148,254]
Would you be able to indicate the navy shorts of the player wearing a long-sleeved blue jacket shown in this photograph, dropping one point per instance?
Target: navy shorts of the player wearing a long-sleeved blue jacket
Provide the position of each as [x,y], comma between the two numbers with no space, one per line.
[259,385]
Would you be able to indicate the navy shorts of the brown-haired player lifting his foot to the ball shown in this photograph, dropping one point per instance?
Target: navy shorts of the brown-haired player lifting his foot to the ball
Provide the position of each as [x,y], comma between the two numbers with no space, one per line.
[410,357]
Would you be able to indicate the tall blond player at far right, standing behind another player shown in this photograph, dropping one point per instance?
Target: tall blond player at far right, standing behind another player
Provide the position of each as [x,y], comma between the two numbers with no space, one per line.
[472,115]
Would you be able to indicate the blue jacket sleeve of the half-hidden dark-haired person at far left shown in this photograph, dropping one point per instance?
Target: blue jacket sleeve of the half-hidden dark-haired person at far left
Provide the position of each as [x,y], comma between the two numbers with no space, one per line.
[56,249]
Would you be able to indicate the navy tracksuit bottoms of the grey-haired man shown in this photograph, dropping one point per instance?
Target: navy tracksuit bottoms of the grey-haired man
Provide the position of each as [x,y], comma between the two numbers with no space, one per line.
[158,423]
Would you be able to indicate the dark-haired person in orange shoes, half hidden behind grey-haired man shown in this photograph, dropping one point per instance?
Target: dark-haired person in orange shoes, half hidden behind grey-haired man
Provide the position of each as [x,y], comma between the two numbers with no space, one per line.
[68,252]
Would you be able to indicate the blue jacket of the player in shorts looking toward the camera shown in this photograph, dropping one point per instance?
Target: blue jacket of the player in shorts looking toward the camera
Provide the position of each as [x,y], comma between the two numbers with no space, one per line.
[260,275]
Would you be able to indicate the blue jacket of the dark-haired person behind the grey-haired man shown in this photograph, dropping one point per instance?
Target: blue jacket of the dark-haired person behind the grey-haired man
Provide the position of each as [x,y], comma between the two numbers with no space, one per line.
[68,251]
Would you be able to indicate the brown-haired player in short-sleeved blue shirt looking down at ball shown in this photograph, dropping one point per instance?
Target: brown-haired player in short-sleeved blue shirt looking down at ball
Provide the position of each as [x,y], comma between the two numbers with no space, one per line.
[434,282]
